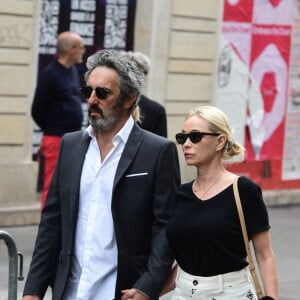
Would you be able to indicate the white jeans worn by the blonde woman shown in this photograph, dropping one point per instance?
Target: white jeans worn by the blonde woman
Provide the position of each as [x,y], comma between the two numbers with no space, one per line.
[229,286]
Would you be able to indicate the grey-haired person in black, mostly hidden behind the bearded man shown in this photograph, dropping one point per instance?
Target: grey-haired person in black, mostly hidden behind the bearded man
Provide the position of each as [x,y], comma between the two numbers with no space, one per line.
[153,114]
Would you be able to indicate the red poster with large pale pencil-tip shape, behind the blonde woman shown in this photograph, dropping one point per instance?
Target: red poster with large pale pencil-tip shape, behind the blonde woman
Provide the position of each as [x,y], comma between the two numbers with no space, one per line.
[269,67]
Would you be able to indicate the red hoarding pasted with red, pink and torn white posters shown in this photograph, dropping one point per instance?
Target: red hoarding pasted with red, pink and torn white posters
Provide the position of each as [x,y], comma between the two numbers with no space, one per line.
[254,88]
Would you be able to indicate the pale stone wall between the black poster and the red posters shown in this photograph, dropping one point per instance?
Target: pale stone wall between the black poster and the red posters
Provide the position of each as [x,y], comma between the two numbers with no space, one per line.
[181,39]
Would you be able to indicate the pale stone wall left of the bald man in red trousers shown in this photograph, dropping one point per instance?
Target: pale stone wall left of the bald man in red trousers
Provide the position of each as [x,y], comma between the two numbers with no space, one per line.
[18,61]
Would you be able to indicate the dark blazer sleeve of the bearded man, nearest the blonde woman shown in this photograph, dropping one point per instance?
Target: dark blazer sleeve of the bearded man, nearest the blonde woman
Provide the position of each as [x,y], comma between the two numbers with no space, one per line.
[160,259]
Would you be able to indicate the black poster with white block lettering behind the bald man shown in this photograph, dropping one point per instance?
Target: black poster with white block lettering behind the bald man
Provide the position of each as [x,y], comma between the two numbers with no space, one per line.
[102,24]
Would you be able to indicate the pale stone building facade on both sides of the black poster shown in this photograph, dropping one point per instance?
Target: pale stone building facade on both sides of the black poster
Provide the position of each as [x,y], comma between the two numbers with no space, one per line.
[180,38]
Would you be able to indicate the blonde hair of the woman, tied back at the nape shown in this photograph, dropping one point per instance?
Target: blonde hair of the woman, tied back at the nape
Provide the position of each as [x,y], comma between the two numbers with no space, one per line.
[218,123]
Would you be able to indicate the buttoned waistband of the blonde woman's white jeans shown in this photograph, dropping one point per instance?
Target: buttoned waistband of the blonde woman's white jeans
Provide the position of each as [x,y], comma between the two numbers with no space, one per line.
[219,281]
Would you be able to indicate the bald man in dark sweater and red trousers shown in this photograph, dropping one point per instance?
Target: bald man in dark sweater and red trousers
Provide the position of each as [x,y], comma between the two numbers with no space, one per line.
[57,104]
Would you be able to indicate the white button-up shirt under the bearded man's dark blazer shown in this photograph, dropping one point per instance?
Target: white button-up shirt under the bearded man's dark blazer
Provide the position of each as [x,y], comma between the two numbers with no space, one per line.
[94,269]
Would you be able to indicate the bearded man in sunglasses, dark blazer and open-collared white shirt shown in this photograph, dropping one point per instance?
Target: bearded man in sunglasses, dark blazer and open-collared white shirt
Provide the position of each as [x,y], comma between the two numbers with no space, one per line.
[102,230]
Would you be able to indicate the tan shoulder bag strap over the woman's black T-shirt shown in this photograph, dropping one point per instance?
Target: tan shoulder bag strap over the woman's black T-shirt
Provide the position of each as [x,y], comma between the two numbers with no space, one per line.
[245,236]
